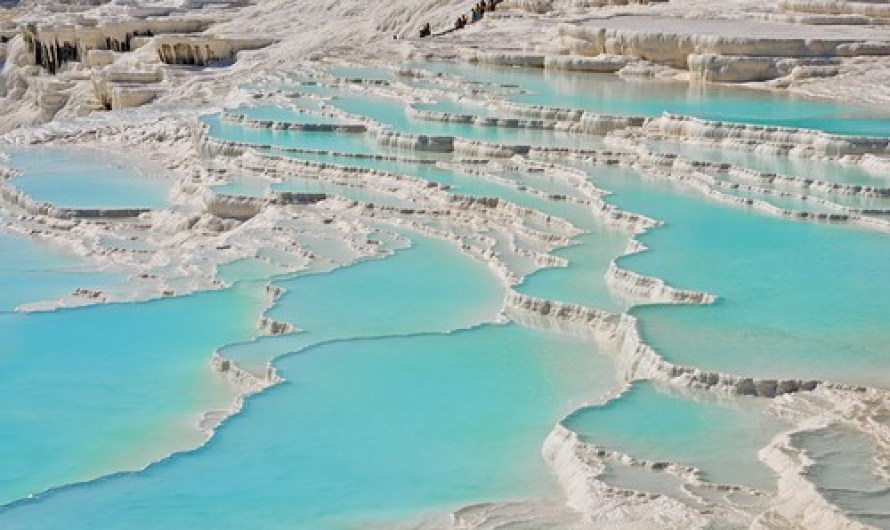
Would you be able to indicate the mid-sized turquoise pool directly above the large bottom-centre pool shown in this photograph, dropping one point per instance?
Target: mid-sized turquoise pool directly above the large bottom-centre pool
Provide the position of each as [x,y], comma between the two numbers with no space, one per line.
[448,291]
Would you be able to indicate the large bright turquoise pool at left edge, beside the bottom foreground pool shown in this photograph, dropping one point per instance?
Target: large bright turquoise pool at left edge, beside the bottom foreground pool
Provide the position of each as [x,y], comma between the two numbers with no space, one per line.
[109,387]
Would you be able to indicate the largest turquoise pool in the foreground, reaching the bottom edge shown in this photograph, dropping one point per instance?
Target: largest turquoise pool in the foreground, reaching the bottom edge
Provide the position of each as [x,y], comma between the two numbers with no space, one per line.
[328,449]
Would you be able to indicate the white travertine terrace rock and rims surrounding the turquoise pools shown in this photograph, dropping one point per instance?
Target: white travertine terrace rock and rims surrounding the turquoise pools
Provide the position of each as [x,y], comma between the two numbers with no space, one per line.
[138,80]
